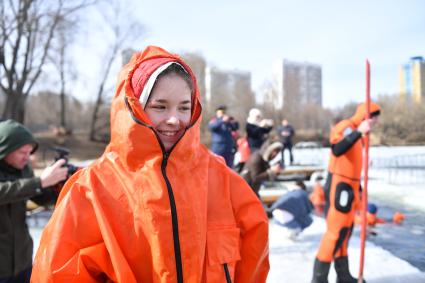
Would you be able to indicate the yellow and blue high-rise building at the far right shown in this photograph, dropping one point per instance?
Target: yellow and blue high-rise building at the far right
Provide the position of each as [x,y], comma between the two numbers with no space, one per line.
[412,80]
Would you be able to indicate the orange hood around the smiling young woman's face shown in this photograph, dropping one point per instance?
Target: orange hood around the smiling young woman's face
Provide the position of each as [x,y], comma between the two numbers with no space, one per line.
[132,135]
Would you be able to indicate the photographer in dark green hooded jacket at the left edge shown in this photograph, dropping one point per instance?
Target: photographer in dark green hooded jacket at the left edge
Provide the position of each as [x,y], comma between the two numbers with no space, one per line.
[17,185]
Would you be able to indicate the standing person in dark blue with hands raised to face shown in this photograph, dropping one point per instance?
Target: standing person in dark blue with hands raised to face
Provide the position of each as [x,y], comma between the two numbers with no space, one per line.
[222,129]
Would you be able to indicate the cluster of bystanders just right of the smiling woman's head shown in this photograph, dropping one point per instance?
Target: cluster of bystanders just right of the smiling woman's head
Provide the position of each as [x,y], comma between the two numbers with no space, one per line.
[255,149]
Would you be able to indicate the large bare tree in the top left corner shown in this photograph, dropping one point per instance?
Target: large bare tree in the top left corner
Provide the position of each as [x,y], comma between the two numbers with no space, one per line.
[27,28]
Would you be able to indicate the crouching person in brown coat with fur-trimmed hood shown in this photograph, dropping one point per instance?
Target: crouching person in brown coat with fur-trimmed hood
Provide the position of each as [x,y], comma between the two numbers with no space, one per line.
[257,169]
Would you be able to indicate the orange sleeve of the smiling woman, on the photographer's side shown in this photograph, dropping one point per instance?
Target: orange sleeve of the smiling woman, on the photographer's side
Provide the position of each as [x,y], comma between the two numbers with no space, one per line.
[72,248]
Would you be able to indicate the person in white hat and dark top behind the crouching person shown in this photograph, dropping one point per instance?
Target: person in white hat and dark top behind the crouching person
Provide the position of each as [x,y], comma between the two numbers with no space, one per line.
[257,129]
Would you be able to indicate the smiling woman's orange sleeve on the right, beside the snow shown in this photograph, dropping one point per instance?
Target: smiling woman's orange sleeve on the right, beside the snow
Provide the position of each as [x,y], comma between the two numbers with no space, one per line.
[253,222]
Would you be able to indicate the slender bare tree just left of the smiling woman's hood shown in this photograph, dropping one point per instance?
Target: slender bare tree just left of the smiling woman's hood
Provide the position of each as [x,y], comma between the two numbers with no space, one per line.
[123,29]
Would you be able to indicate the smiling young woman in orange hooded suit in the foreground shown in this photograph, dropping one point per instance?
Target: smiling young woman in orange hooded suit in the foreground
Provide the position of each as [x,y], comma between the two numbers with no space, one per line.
[157,206]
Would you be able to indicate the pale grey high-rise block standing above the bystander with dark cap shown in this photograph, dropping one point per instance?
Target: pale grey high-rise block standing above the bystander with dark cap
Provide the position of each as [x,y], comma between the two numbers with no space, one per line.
[297,84]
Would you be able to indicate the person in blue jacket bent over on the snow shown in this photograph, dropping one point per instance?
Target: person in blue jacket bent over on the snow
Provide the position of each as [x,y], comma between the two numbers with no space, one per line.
[292,210]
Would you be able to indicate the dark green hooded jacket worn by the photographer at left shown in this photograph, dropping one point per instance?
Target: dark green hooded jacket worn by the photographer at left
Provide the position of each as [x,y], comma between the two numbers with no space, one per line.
[16,187]
